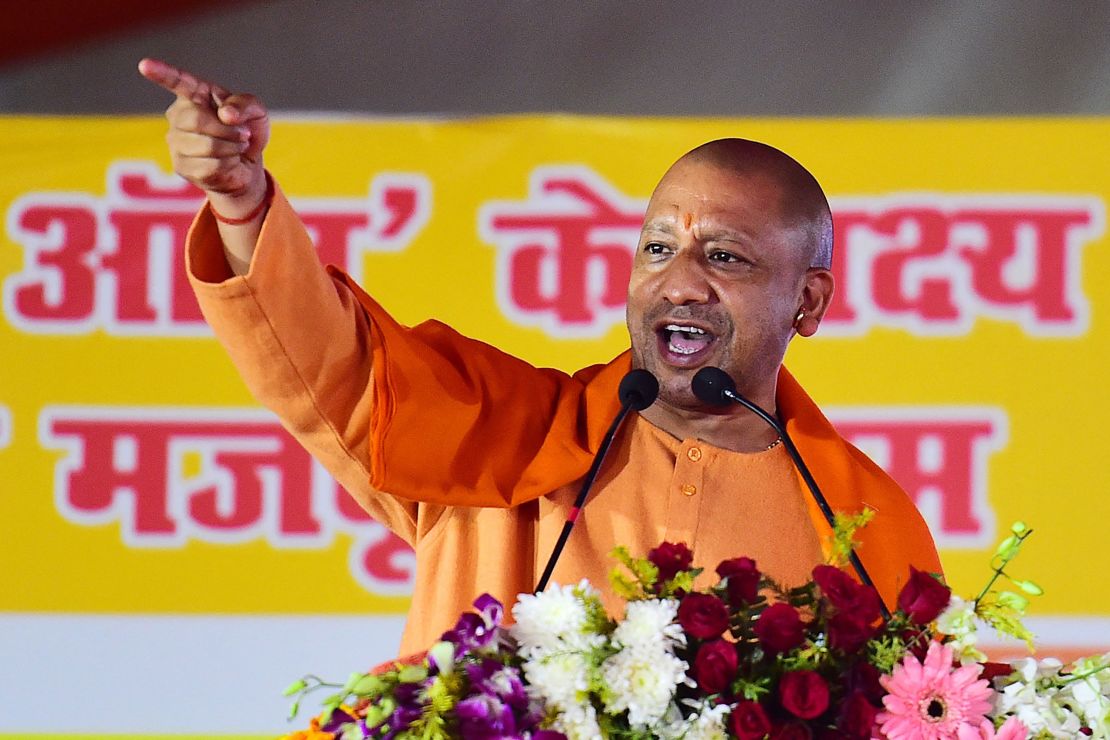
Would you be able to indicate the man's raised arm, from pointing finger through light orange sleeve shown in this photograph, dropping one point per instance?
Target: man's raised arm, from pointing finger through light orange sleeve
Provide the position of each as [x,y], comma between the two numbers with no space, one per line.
[299,340]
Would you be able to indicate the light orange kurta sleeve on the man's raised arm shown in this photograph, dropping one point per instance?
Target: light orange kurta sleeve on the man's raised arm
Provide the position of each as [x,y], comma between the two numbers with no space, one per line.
[304,347]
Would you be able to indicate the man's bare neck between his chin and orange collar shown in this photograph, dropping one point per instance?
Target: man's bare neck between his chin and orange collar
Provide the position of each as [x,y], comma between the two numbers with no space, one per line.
[730,428]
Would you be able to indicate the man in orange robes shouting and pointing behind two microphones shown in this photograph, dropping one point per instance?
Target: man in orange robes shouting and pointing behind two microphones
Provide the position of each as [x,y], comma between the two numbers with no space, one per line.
[473,457]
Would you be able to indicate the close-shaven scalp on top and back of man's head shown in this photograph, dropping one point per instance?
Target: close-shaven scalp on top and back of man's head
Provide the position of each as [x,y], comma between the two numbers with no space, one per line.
[803,205]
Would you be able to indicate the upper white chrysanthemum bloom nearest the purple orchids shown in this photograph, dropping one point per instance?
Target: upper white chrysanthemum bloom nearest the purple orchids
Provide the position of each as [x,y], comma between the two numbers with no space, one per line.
[553,621]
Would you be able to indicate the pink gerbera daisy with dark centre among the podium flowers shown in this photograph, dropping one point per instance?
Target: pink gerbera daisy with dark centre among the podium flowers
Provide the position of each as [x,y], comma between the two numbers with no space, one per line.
[932,701]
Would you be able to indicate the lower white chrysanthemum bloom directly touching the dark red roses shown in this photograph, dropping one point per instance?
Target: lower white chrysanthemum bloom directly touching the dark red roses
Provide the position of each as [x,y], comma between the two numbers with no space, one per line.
[642,682]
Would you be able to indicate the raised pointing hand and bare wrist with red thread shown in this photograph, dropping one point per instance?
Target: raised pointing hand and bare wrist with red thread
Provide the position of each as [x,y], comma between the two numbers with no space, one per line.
[216,143]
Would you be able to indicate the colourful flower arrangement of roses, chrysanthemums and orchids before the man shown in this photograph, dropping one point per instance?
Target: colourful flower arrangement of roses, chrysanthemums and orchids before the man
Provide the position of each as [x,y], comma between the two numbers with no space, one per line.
[745,658]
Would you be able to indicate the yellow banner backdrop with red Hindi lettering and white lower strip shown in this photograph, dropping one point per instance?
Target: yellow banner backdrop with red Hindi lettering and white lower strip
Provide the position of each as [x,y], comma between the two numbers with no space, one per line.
[170,560]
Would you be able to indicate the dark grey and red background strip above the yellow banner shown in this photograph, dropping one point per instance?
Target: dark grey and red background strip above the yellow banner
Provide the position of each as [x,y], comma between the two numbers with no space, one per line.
[791,58]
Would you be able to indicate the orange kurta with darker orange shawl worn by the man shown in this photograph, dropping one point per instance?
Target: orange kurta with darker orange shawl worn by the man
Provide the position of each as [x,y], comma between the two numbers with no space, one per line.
[473,457]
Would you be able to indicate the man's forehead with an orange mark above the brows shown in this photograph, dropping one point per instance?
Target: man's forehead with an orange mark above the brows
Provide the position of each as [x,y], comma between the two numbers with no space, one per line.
[709,194]
